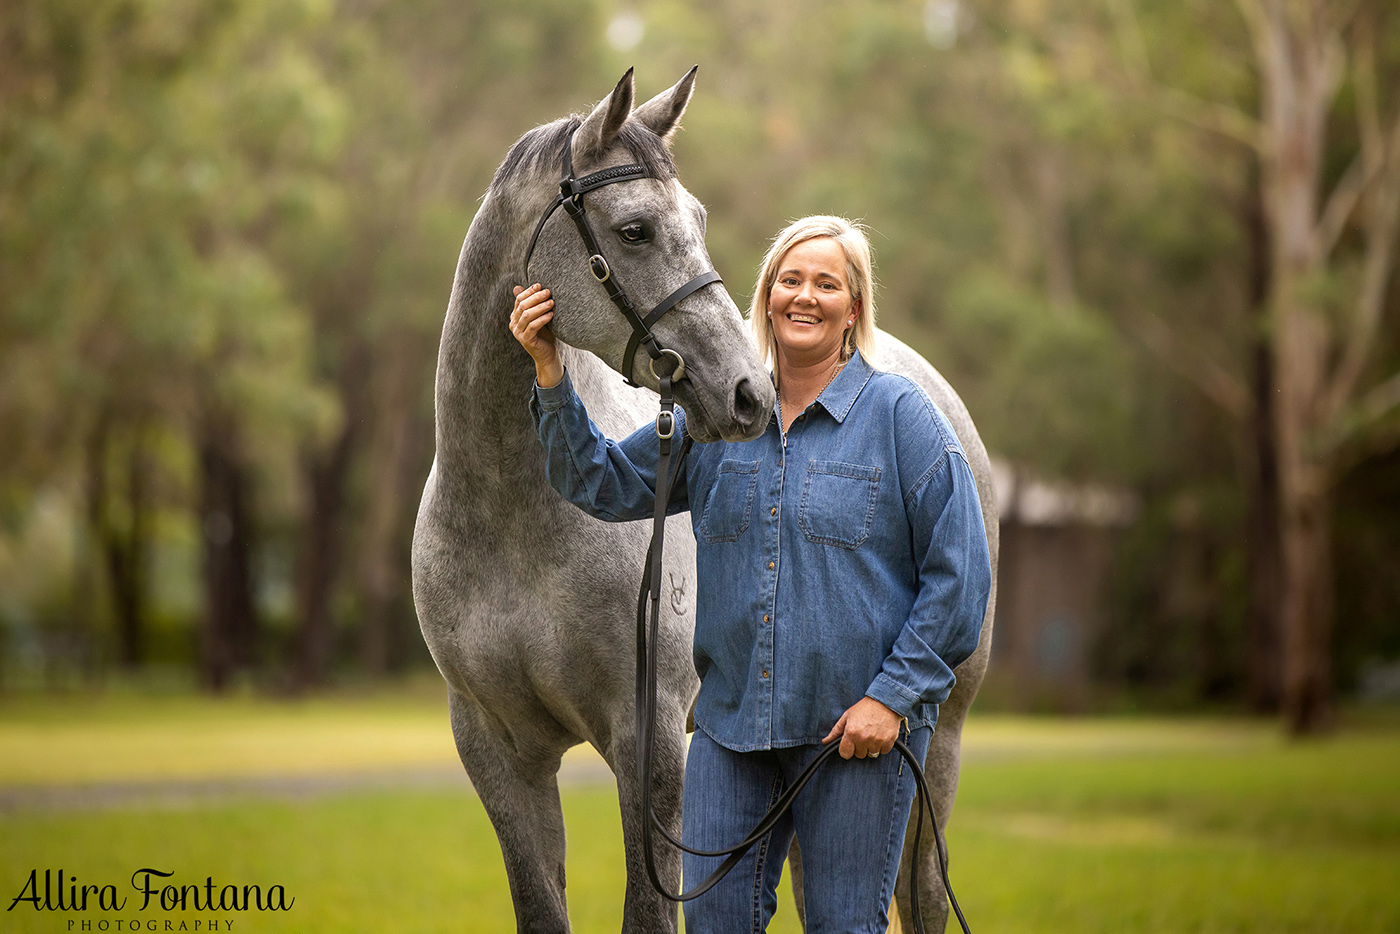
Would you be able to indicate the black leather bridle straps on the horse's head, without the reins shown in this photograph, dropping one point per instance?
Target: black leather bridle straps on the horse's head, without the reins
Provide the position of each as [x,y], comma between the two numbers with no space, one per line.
[572,197]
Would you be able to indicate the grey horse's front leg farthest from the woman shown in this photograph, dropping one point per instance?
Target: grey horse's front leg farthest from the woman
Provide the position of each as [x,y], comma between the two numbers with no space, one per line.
[523,802]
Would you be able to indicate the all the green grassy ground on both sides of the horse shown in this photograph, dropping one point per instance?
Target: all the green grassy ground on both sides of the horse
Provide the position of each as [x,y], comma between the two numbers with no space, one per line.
[1086,827]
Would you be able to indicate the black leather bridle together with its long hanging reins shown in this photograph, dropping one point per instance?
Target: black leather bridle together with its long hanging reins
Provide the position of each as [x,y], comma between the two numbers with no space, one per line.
[572,198]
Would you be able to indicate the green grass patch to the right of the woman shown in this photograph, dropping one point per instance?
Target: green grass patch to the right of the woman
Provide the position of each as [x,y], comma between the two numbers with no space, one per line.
[1263,837]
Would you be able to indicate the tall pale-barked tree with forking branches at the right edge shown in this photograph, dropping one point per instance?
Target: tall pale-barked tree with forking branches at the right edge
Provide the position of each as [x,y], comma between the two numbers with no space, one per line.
[1326,296]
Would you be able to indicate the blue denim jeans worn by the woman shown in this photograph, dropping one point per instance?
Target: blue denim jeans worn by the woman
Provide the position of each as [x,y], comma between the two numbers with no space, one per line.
[850,823]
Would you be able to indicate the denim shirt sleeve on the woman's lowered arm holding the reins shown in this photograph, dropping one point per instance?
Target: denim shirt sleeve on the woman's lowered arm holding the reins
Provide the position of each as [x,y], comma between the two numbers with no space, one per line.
[954,587]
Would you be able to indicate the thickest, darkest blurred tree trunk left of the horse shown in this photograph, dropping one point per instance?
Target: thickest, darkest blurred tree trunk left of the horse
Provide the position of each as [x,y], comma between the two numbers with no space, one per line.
[230,635]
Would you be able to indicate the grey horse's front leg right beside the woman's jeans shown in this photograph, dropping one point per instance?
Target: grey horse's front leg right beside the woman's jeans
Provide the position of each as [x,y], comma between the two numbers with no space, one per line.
[646,911]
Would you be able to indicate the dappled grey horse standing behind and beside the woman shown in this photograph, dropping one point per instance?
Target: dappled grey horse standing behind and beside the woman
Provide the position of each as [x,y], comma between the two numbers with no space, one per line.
[526,603]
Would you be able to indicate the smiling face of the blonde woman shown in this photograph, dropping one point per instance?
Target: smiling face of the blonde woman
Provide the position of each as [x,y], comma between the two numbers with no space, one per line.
[811,303]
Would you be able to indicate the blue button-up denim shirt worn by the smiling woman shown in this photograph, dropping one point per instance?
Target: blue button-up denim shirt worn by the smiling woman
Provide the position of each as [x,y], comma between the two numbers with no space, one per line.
[848,559]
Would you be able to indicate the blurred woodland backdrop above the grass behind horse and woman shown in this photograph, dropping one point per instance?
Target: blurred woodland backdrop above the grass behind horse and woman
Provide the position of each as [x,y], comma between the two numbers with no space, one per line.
[1153,244]
